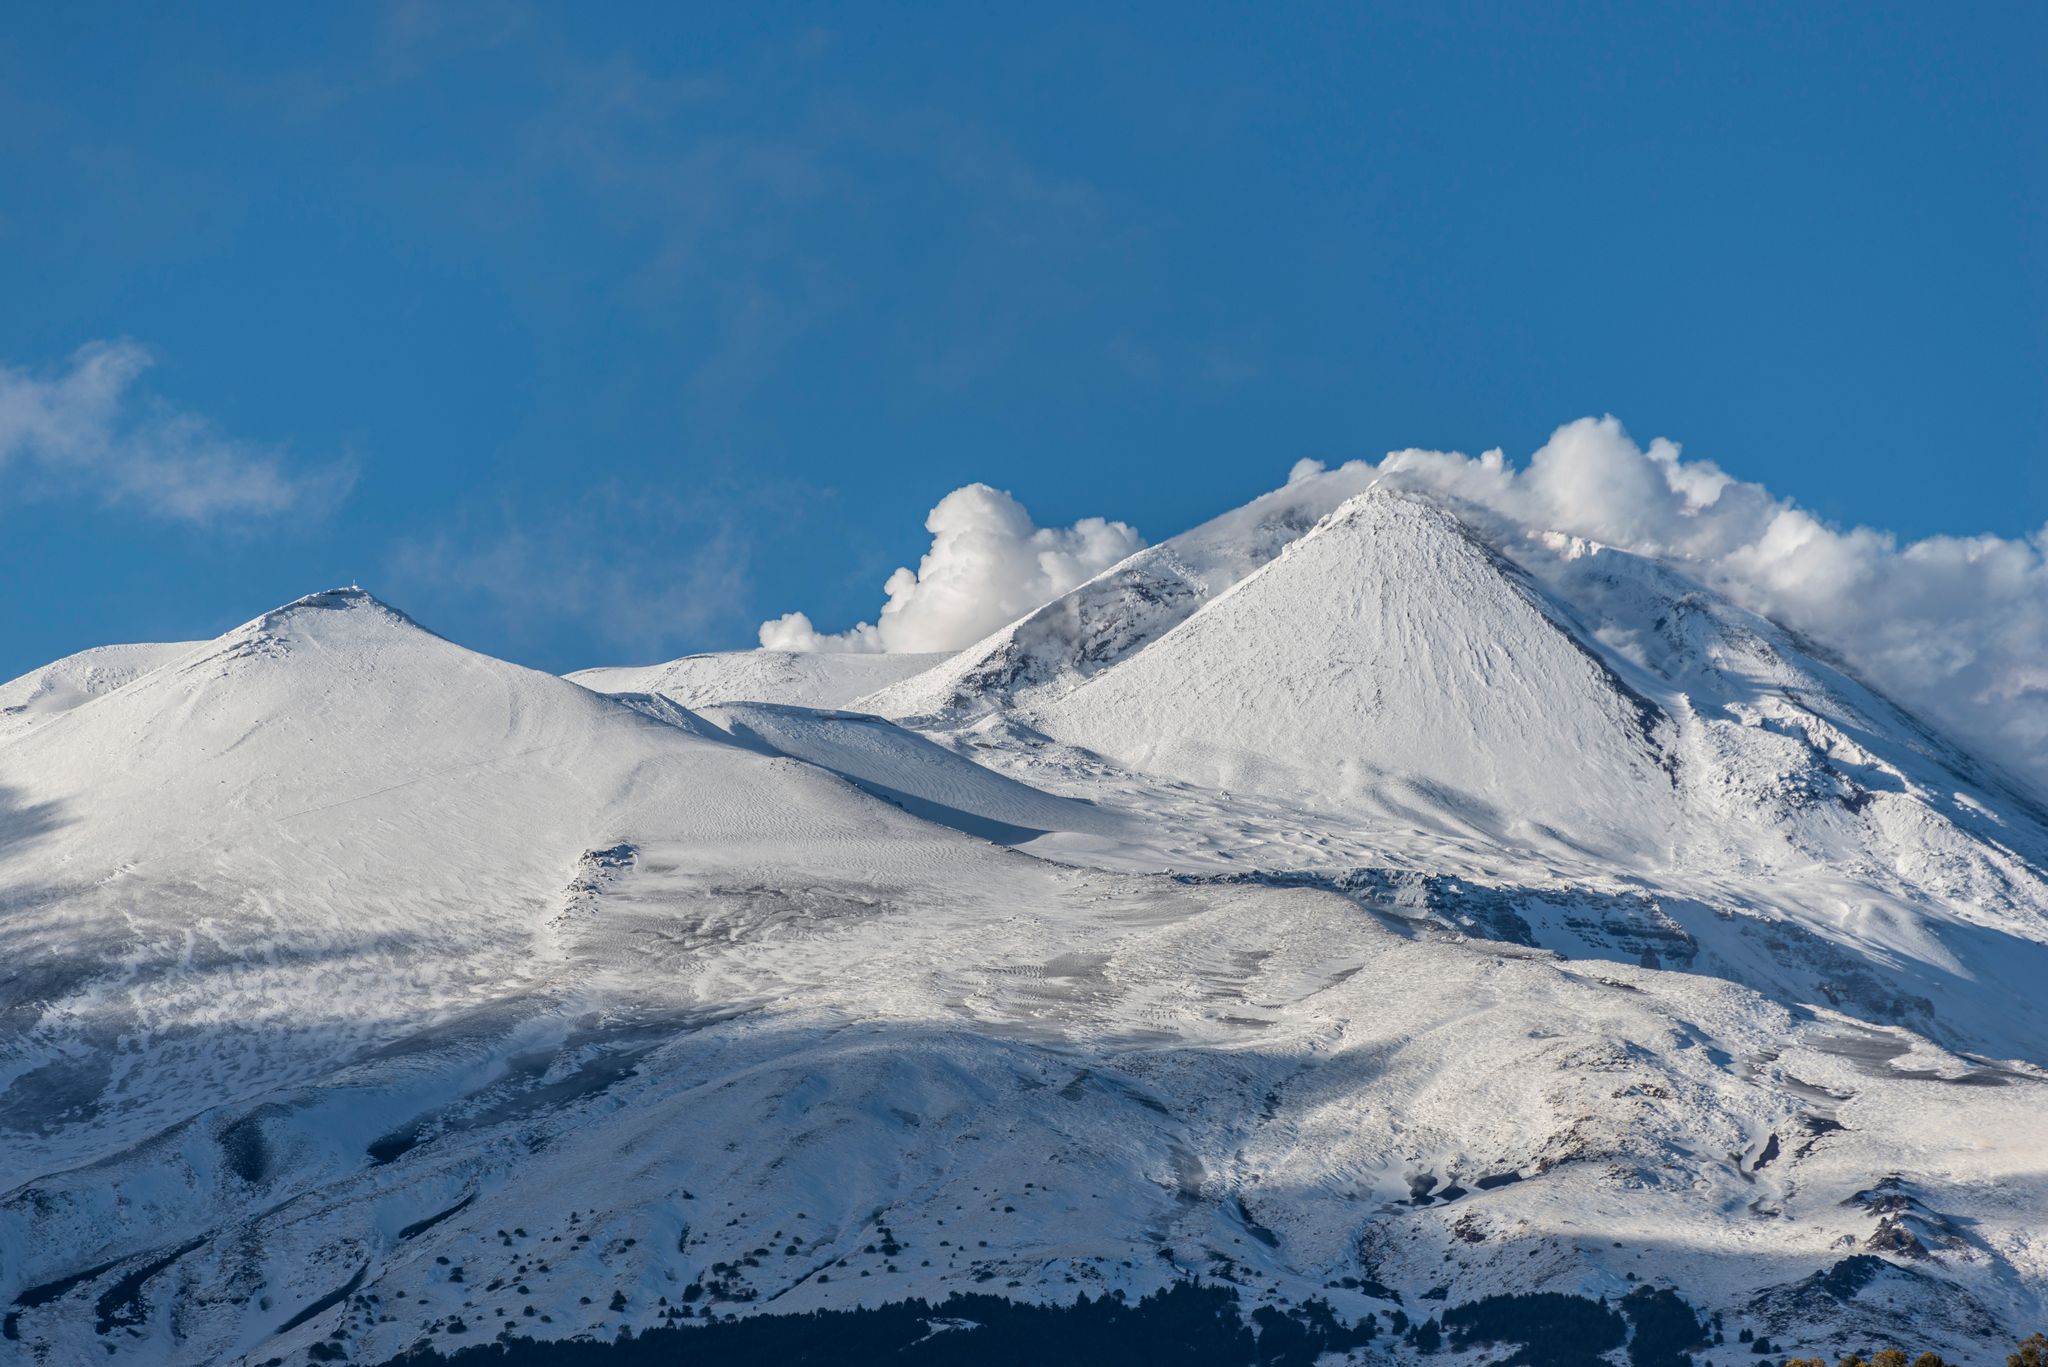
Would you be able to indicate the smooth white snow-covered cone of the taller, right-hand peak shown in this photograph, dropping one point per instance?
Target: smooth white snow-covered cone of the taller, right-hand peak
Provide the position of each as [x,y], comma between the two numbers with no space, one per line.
[1390,659]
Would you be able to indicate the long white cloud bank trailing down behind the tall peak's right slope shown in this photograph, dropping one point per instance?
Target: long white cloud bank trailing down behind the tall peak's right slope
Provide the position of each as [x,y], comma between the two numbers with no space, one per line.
[1951,626]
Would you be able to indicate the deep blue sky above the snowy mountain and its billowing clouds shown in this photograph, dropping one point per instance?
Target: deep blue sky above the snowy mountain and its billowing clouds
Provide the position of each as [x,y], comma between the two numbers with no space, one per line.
[597,337]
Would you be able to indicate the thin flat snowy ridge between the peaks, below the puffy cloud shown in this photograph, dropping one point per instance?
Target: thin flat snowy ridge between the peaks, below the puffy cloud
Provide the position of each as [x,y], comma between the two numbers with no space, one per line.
[802,679]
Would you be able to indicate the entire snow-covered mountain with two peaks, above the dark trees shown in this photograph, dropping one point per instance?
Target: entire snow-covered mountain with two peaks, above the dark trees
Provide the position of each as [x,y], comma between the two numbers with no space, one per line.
[1347,899]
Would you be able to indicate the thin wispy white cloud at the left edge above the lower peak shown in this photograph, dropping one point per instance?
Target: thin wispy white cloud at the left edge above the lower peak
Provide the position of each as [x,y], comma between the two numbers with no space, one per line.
[85,431]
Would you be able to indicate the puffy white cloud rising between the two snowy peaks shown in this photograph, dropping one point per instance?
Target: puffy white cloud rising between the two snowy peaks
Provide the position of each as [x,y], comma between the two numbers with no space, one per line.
[988,567]
